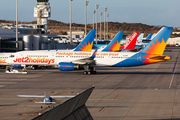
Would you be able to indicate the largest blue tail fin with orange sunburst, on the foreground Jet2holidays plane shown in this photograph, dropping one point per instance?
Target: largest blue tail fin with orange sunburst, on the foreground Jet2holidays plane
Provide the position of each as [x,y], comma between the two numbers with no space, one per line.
[158,43]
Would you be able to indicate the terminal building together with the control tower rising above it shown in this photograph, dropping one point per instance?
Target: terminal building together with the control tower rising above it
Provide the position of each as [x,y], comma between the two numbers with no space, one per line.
[36,36]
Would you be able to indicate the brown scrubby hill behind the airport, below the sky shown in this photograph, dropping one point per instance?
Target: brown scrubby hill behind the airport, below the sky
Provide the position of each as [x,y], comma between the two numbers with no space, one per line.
[58,27]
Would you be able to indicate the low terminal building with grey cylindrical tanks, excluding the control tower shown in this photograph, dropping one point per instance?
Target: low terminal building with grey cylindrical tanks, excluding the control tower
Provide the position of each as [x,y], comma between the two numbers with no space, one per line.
[35,41]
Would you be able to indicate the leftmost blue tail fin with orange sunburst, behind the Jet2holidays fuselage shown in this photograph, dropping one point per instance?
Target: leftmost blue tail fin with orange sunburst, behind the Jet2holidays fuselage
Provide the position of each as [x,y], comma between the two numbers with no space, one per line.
[87,43]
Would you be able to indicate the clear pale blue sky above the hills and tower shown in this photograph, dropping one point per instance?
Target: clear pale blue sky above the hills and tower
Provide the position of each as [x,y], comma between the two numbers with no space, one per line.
[150,12]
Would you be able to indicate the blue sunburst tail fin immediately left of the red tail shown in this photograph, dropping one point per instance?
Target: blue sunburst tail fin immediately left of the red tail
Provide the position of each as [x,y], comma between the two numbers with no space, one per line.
[114,45]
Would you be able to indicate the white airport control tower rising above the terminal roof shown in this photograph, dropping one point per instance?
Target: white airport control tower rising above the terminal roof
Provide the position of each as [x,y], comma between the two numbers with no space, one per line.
[42,12]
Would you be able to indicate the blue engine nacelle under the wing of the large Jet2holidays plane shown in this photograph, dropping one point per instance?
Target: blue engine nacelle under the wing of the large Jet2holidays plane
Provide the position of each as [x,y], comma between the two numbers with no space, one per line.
[63,66]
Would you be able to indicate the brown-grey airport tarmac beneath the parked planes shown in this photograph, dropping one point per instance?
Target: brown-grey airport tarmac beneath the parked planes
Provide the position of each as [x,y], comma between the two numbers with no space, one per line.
[150,92]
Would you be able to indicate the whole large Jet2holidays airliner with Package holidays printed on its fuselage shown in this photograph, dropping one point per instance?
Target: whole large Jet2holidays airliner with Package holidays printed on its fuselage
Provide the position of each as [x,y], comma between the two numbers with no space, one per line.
[89,61]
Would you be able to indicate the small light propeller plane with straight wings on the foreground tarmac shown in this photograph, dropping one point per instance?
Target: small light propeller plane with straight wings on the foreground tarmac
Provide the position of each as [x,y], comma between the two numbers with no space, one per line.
[46,99]
